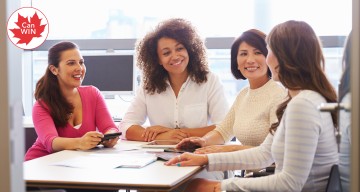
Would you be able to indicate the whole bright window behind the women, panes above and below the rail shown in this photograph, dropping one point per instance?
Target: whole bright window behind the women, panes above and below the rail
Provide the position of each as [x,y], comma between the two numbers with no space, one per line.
[113,19]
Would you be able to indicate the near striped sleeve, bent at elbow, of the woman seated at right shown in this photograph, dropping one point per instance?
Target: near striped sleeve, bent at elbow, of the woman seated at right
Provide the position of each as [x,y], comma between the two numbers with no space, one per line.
[302,129]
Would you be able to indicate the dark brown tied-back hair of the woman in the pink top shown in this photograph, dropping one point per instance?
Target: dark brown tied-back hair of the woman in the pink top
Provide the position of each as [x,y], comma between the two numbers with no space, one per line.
[47,88]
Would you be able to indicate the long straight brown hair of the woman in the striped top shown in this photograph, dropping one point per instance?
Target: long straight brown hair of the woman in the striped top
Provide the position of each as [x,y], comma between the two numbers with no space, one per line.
[301,62]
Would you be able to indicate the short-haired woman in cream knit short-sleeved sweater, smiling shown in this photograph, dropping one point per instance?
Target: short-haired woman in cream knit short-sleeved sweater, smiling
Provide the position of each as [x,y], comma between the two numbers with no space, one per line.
[253,111]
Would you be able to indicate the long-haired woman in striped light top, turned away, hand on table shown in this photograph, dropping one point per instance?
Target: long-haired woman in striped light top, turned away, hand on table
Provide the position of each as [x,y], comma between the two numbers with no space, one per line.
[302,144]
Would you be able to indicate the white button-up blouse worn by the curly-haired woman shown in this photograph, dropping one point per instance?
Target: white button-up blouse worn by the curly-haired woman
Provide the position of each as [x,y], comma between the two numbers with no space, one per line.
[197,105]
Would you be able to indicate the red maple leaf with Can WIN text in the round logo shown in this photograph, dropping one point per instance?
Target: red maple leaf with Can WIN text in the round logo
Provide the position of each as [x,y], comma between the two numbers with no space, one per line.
[28,29]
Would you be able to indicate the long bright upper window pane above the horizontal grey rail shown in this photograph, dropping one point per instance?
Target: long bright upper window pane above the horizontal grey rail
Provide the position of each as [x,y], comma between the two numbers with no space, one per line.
[83,19]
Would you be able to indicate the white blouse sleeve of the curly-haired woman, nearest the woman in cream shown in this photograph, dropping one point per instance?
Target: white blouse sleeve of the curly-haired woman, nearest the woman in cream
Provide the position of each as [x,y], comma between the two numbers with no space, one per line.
[217,102]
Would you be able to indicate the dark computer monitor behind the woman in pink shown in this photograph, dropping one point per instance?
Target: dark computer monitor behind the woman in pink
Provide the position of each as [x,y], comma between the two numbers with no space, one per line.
[112,74]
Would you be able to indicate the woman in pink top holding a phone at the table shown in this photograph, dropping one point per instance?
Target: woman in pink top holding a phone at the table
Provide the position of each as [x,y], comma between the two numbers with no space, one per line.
[67,115]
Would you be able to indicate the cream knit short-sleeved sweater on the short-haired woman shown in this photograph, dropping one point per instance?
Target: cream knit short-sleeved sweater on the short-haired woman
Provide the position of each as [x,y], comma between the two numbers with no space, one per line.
[252,113]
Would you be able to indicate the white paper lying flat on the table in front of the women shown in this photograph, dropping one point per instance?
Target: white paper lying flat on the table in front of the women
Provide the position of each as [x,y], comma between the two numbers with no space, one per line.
[109,161]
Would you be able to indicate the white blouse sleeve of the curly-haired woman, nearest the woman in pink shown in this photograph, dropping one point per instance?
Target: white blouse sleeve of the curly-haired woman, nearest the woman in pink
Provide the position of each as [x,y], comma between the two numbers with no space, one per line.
[136,113]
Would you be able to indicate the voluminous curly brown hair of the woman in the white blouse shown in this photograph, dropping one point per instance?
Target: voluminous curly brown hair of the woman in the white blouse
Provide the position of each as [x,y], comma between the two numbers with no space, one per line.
[154,75]
